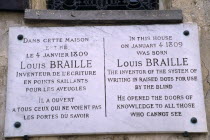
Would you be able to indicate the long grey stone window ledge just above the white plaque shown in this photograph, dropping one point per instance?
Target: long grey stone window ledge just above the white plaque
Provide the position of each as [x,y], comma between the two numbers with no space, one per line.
[107,16]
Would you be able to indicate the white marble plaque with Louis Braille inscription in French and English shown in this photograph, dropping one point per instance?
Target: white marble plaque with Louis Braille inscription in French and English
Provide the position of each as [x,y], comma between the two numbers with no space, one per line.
[104,79]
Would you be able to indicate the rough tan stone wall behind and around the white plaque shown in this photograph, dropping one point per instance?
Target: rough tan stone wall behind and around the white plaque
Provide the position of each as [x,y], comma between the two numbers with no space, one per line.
[197,11]
